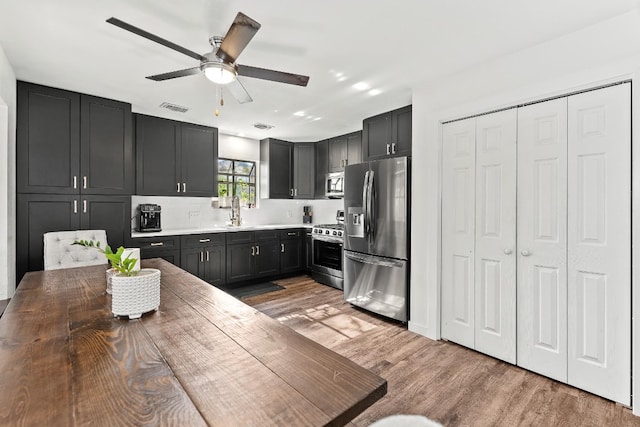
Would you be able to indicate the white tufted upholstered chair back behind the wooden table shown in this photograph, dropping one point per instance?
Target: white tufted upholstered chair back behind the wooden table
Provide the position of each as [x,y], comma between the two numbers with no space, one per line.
[60,253]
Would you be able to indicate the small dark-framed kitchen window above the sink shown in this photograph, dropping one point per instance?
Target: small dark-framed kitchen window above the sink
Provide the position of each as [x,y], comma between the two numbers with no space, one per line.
[237,177]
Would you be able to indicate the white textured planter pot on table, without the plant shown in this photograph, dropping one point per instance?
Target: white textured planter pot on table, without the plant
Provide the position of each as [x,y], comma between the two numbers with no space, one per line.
[132,296]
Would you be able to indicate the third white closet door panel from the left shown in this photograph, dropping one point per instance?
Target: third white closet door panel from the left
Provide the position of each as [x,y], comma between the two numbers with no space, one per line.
[542,238]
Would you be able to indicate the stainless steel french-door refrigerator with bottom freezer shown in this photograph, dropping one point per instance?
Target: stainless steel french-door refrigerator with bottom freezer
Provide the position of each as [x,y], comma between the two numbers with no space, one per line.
[376,246]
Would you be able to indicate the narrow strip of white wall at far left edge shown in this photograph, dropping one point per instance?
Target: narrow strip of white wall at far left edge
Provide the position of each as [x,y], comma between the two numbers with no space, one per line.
[7,177]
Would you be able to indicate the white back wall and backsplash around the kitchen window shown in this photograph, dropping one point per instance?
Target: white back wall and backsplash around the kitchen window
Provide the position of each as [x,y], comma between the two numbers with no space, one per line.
[199,212]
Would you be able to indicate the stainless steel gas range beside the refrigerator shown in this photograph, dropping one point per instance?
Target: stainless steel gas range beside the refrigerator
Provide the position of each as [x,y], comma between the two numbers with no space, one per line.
[327,241]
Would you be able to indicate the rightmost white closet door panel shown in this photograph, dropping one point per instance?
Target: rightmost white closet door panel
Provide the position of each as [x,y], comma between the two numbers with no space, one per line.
[599,265]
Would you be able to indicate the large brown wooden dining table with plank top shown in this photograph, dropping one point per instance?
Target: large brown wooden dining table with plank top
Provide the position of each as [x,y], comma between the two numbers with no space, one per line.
[203,358]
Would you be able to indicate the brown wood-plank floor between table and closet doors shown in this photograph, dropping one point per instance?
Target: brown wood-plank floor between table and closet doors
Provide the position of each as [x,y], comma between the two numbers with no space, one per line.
[441,380]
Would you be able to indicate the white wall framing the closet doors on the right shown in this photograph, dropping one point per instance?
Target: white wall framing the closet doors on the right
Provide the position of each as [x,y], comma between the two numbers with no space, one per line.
[604,53]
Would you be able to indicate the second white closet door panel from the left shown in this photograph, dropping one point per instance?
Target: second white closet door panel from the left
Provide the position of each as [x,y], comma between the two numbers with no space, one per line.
[495,263]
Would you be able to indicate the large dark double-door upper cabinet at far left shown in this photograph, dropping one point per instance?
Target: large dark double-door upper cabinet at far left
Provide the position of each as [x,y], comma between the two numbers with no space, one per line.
[69,143]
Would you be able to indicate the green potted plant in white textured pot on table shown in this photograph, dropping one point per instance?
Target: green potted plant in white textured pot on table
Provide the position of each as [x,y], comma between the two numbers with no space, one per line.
[133,291]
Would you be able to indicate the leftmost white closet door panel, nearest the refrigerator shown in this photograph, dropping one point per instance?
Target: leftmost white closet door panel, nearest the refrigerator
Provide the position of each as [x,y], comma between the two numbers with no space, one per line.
[458,235]
